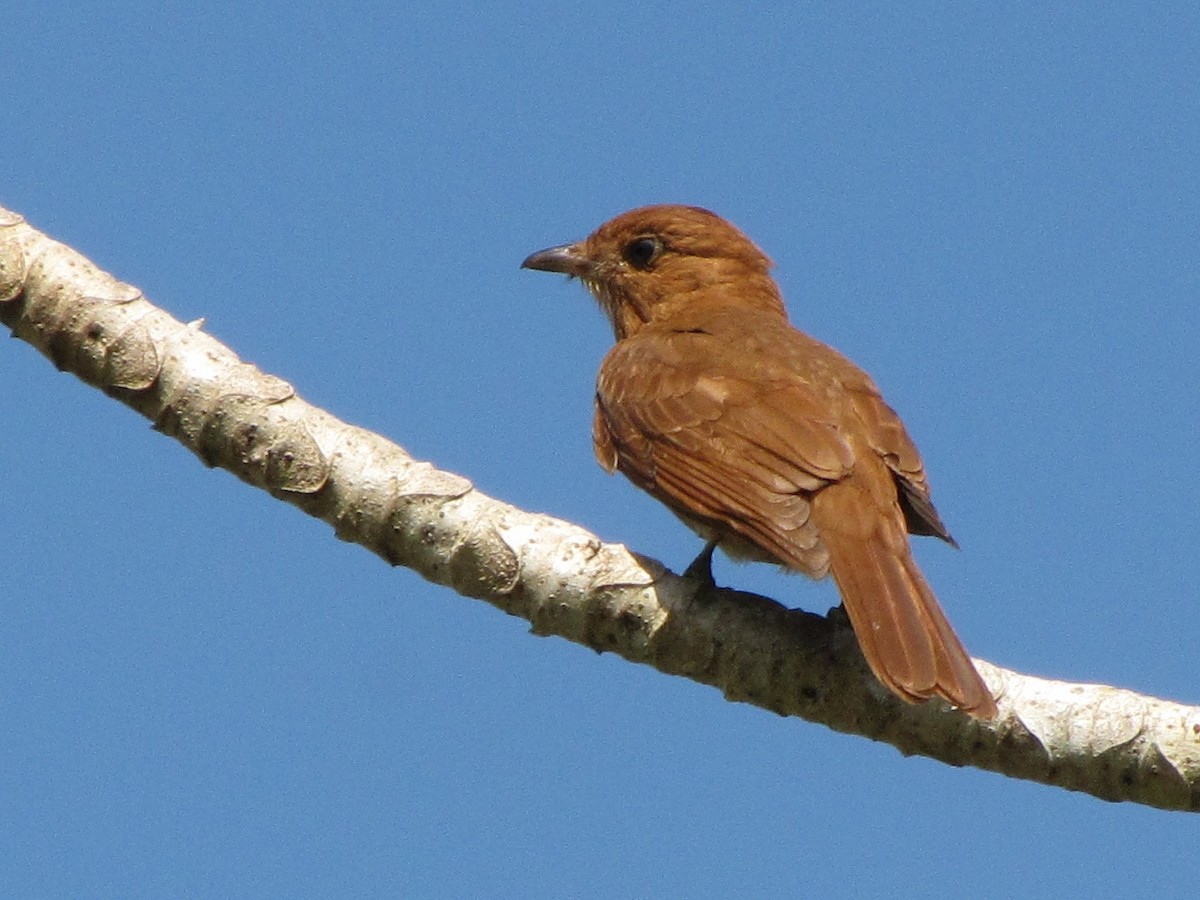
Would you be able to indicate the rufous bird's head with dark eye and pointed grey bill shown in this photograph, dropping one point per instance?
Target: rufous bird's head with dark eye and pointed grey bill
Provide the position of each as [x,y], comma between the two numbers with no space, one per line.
[653,263]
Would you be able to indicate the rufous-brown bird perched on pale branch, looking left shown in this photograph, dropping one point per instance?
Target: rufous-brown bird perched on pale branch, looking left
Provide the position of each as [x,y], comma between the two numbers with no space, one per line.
[765,441]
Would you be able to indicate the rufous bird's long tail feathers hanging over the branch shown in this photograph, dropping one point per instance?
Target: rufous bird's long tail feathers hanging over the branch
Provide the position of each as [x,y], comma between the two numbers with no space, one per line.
[905,637]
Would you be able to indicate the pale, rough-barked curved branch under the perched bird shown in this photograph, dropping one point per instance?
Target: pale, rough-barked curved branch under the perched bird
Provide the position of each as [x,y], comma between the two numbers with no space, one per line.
[1112,743]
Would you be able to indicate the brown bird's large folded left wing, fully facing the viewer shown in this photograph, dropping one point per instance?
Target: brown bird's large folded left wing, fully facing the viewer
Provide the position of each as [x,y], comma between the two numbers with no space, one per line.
[719,448]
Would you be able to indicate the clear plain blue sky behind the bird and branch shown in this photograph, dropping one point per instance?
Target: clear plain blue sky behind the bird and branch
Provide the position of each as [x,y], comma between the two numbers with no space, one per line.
[203,693]
